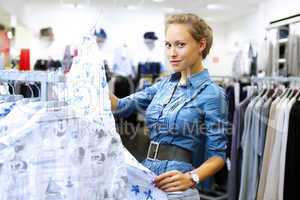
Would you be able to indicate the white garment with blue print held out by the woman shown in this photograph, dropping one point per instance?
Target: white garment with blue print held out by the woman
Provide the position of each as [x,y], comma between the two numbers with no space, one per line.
[89,71]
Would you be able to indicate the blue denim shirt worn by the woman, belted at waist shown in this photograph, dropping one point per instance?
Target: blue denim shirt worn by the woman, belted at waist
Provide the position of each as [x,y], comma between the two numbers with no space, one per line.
[191,116]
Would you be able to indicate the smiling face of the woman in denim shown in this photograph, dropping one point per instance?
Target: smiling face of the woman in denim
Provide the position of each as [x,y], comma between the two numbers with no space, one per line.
[183,51]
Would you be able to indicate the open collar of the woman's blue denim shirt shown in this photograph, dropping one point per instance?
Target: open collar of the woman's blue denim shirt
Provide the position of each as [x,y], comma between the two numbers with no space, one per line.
[194,80]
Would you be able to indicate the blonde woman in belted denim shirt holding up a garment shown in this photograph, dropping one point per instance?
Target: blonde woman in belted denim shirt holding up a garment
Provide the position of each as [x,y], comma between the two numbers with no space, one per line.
[182,111]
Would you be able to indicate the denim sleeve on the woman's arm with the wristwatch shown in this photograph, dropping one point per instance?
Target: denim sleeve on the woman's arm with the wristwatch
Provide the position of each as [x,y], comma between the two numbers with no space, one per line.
[216,123]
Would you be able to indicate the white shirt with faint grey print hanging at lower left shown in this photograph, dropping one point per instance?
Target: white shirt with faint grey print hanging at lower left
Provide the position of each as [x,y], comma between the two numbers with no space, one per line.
[51,152]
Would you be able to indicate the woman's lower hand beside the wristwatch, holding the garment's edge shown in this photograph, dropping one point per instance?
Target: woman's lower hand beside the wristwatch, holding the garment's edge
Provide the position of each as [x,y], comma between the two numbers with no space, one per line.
[173,181]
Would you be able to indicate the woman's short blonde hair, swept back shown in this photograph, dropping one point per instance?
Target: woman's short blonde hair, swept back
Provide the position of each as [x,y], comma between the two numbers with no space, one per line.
[198,28]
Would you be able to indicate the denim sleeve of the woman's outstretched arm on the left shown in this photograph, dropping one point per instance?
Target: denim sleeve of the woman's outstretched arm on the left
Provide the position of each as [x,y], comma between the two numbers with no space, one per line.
[137,102]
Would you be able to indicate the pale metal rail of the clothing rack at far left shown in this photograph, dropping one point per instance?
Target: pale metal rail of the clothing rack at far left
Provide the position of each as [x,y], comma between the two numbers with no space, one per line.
[45,78]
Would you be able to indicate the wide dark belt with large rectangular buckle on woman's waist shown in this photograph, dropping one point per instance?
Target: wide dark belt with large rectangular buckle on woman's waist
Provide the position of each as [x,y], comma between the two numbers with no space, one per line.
[158,151]
